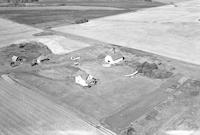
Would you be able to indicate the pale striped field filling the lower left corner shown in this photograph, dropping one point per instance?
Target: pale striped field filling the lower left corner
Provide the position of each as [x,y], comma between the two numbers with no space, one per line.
[23,112]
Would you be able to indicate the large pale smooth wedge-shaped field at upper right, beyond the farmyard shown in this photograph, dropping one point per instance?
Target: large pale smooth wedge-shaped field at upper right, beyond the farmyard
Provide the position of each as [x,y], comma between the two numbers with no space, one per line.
[172,31]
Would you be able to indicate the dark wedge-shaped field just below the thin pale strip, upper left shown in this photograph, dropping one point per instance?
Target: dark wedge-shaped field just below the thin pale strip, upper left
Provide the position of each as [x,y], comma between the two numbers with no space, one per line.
[46,18]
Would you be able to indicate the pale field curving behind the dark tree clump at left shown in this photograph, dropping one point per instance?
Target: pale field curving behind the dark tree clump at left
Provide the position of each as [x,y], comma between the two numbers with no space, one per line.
[11,32]
